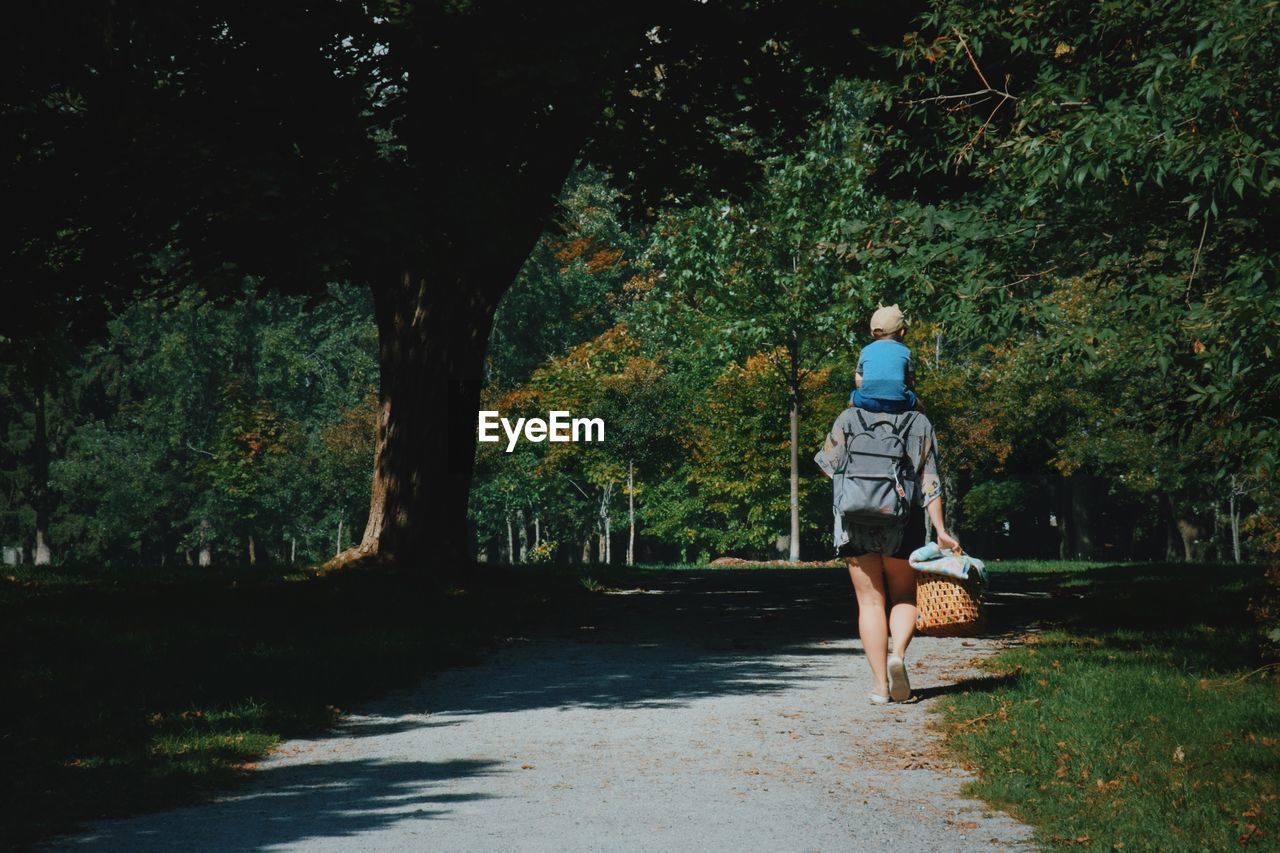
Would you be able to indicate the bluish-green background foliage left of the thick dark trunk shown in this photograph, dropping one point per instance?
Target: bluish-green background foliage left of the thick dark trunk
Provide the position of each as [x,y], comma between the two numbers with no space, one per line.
[198,426]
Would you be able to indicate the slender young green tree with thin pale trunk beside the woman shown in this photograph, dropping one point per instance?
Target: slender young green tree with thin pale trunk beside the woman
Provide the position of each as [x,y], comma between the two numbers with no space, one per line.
[771,275]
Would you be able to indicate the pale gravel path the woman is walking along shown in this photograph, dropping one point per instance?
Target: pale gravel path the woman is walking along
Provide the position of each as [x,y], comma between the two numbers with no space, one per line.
[712,711]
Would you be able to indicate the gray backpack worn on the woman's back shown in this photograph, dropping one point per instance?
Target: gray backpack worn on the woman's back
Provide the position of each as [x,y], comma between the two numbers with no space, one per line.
[876,487]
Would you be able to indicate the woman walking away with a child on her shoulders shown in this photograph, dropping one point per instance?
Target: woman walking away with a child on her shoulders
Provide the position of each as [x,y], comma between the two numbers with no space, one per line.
[877,555]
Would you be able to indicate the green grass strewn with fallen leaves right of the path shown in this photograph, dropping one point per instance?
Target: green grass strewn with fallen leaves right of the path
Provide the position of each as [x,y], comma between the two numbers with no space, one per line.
[1146,722]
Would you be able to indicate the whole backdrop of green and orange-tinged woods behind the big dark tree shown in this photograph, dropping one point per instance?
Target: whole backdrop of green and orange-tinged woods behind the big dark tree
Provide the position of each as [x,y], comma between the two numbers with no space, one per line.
[1082,250]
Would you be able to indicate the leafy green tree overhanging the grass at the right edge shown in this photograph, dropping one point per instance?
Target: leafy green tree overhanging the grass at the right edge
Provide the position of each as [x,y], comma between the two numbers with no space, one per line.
[1089,186]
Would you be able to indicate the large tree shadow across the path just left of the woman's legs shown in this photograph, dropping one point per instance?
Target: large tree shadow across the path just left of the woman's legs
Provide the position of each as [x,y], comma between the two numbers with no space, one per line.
[670,640]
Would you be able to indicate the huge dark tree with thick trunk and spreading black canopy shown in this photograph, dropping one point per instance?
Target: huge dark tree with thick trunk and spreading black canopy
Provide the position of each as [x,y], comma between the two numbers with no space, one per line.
[413,149]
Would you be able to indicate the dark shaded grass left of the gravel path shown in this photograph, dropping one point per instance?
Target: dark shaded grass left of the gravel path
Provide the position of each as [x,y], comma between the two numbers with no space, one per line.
[138,691]
